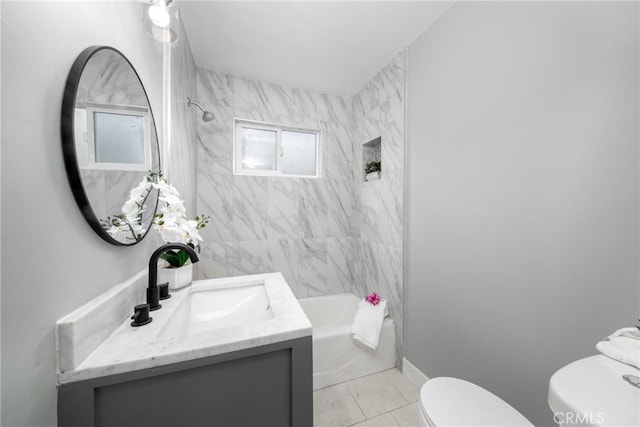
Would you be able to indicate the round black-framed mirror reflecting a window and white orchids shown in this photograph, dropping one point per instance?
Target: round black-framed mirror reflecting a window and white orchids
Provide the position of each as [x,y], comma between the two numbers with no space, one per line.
[110,145]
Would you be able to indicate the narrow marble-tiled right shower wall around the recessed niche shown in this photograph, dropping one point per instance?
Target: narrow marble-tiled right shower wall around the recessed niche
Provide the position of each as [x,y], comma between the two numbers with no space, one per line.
[378,223]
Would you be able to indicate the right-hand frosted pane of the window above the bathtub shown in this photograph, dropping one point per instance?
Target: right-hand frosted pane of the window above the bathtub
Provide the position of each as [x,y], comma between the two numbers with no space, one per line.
[298,153]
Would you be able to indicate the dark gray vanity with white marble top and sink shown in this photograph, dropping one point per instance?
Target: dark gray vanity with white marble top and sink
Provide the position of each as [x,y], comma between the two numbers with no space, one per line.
[229,352]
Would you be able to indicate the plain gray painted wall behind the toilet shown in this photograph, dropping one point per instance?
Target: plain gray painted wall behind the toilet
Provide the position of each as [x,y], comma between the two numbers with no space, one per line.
[522,191]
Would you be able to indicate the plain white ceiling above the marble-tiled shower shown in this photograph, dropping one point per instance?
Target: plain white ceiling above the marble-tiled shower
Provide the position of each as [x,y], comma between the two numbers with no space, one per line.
[331,47]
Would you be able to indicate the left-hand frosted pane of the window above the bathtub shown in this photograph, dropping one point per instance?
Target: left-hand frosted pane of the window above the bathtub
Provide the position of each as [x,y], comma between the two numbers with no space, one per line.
[259,149]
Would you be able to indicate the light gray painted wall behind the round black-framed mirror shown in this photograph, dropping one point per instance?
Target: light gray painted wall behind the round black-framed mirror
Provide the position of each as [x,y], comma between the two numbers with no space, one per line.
[52,262]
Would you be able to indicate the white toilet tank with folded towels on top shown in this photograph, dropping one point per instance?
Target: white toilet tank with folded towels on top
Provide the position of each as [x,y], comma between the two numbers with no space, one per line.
[591,392]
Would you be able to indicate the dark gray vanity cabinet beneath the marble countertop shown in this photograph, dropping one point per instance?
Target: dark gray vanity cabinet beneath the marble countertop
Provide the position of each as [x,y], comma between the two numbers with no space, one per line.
[263,386]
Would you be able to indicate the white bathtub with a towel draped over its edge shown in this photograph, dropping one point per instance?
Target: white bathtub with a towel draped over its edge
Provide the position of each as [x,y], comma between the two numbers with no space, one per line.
[336,358]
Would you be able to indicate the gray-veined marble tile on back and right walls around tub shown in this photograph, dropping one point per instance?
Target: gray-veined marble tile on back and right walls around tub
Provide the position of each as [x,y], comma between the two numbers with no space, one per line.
[329,235]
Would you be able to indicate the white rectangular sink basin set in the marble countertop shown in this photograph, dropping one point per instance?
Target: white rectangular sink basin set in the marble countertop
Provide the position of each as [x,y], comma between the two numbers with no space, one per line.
[206,308]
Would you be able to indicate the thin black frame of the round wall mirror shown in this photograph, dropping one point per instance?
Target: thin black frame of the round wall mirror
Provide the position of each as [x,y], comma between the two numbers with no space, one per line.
[68,141]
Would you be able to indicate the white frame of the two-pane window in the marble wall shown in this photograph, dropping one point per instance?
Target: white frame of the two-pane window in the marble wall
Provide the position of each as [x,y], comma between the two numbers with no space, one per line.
[237,148]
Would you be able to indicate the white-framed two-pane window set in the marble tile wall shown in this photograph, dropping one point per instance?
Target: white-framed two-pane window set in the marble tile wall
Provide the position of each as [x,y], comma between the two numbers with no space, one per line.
[274,150]
